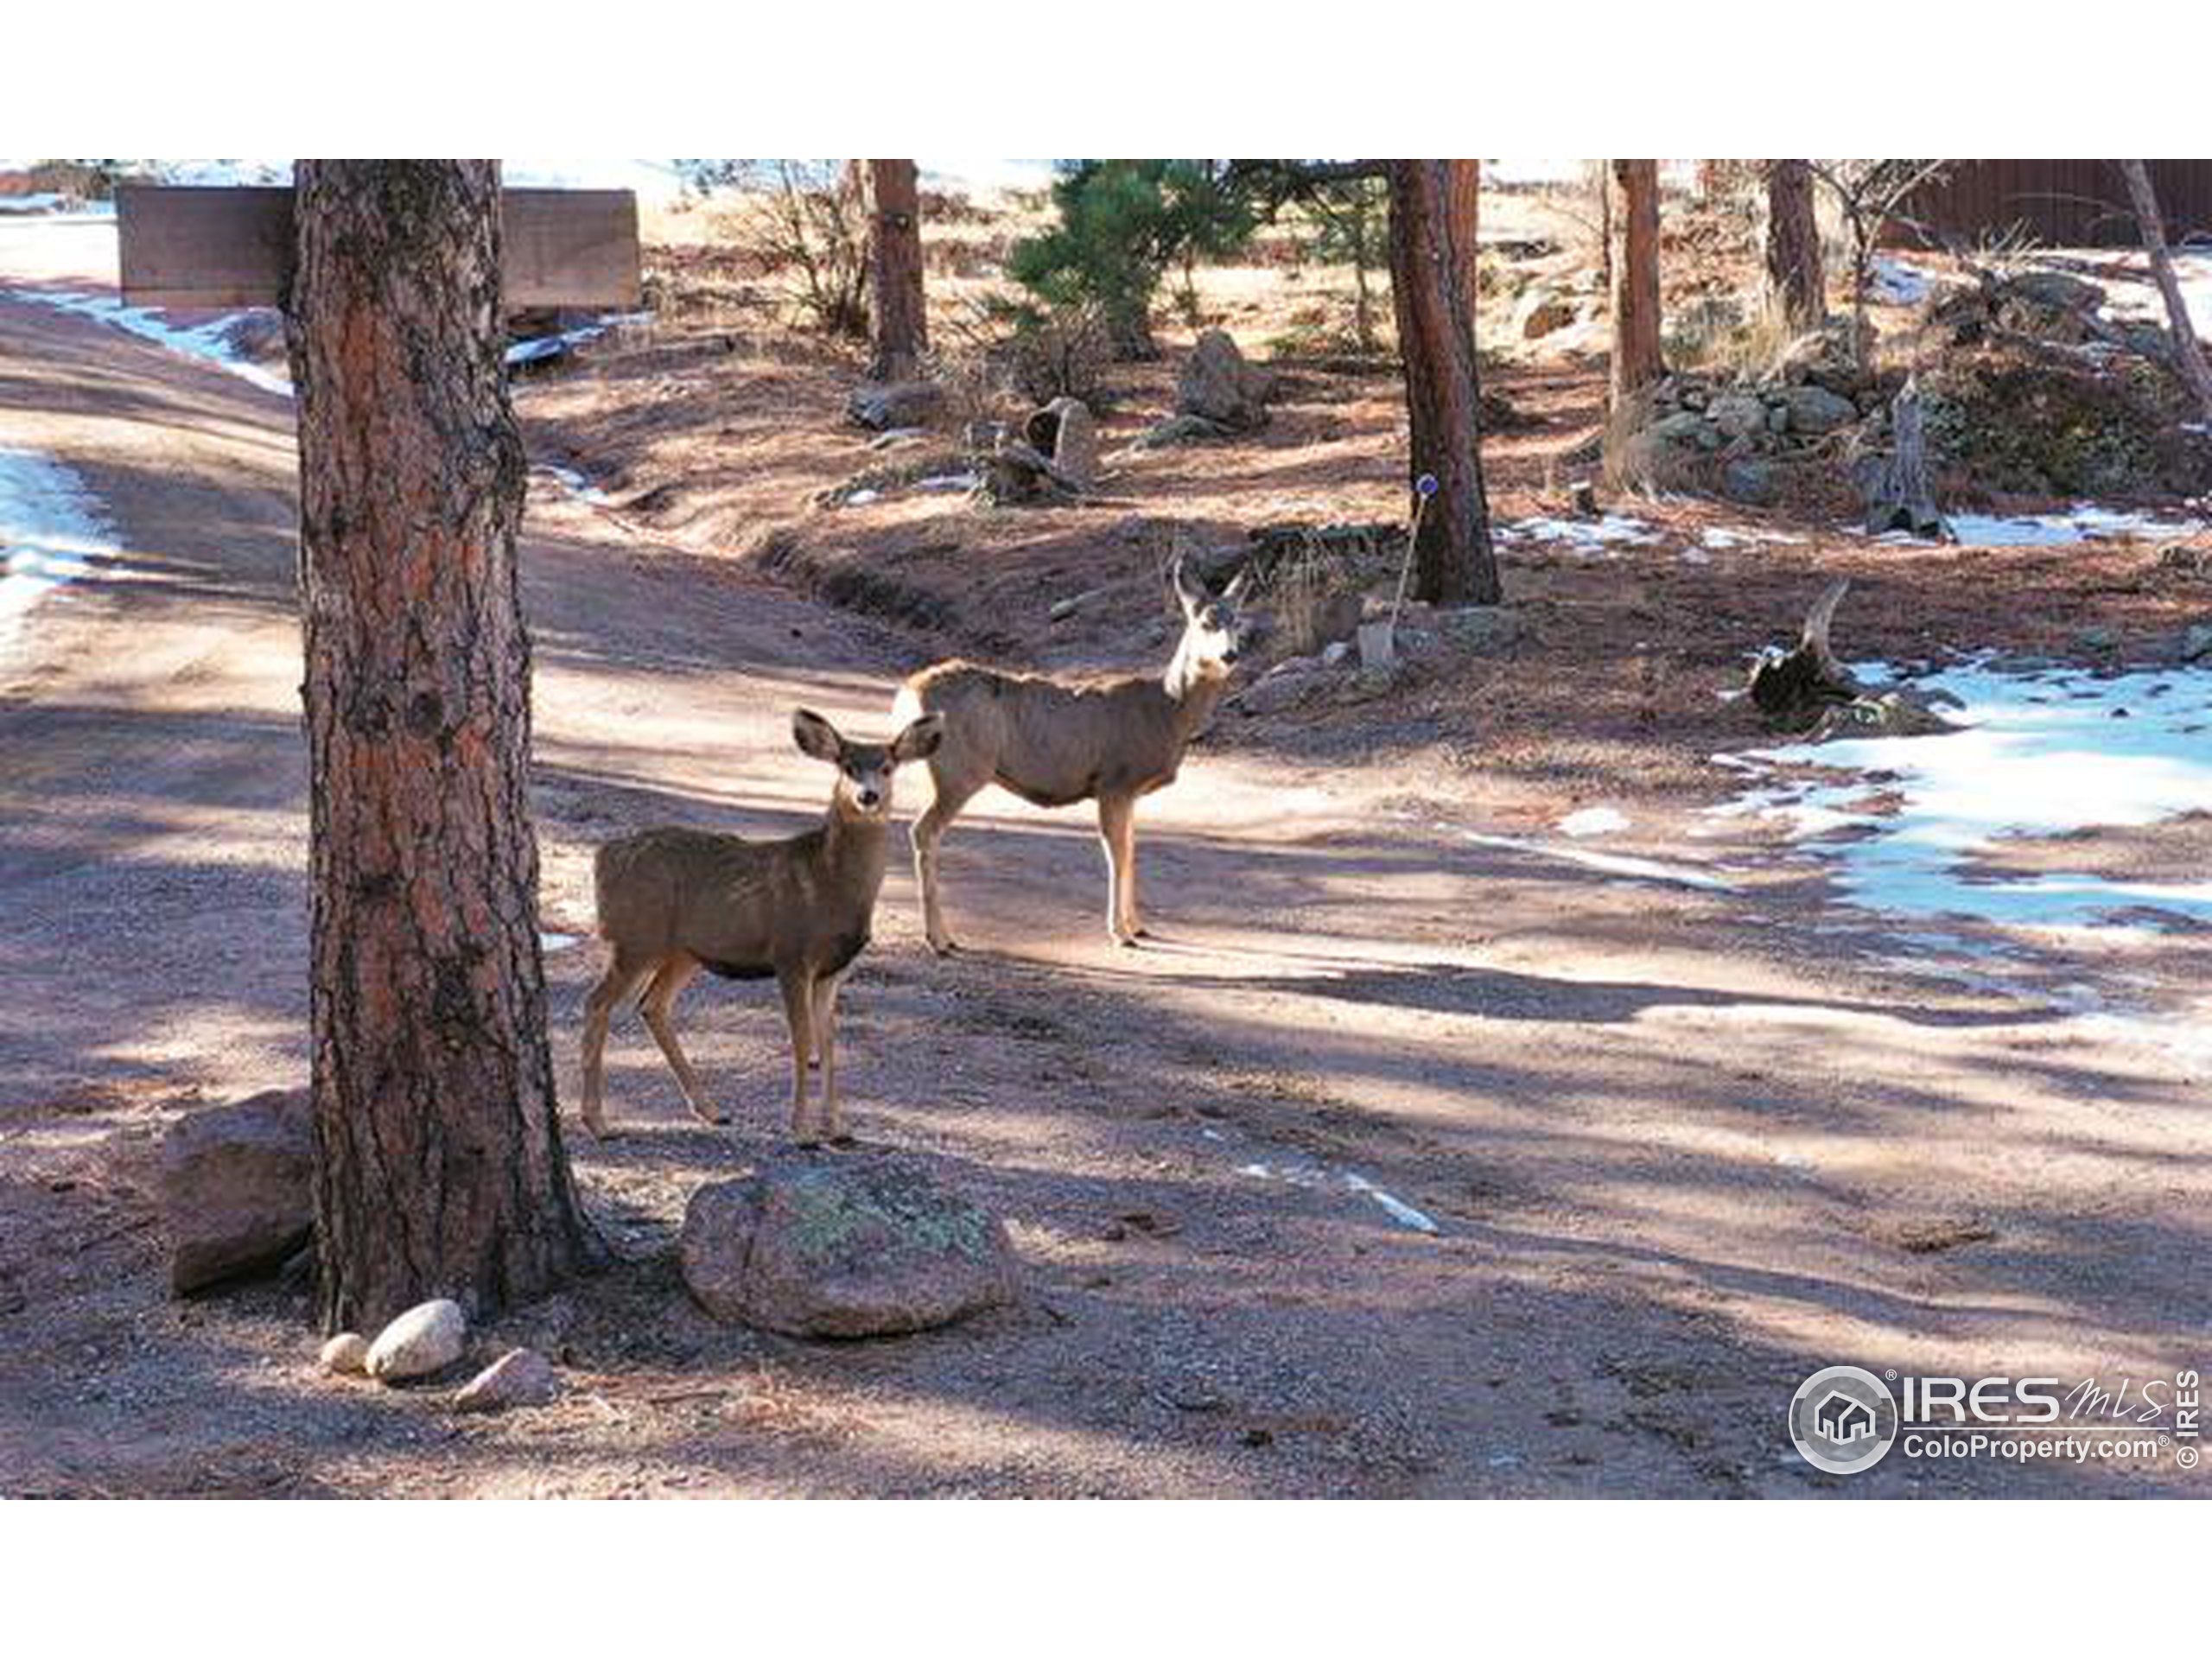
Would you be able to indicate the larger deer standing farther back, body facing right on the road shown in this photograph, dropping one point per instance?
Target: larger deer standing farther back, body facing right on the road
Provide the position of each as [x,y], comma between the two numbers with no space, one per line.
[1056,742]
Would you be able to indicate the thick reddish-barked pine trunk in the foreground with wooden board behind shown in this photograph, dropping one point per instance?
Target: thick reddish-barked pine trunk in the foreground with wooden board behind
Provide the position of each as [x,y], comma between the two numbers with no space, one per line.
[439,1154]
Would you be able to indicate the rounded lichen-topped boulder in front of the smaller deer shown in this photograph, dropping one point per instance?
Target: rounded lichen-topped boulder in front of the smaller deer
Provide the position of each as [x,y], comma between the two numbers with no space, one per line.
[844,1246]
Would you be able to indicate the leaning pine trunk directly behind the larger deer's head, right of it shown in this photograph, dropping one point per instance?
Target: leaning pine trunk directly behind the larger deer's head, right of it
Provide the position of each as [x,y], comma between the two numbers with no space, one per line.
[1454,561]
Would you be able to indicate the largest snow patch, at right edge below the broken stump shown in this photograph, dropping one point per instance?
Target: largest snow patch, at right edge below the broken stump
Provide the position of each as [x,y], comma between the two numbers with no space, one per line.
[2043,753]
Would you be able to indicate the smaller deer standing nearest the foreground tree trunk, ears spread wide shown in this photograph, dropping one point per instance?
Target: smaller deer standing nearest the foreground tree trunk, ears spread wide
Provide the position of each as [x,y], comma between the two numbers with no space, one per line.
[678,901]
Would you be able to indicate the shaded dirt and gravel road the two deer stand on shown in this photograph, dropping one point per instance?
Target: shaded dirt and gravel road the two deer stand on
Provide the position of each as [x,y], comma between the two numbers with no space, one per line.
[1680,1145]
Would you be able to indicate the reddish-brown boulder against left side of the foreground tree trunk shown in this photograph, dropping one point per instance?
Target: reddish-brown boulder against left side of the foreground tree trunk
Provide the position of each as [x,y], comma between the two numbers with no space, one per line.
[238,1189]
